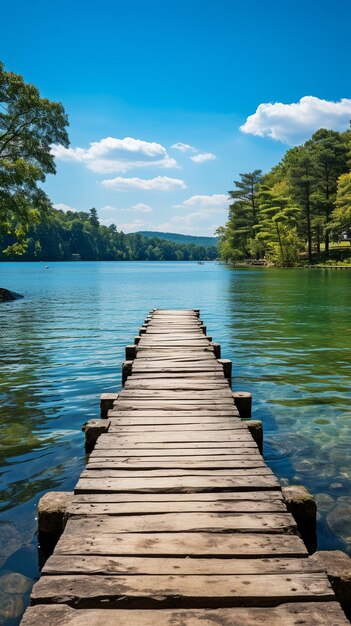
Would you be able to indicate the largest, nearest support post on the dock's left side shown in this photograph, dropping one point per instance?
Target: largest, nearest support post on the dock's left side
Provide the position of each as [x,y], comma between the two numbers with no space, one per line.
[52,509]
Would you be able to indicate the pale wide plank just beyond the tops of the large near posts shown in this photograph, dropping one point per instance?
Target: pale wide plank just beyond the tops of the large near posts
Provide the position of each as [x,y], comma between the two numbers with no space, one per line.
[177,484]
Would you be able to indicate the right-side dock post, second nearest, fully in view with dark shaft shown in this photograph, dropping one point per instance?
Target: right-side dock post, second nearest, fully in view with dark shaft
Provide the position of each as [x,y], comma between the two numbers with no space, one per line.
[301,504]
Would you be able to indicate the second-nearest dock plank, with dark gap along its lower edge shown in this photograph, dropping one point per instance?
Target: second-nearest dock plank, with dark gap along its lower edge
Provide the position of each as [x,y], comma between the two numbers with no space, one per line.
[147,592]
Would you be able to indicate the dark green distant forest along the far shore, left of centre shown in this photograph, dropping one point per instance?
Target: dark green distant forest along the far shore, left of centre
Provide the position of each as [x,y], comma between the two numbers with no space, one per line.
[62,235]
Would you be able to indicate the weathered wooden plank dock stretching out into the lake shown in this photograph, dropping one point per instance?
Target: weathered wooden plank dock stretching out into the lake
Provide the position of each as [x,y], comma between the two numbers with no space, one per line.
[177,520]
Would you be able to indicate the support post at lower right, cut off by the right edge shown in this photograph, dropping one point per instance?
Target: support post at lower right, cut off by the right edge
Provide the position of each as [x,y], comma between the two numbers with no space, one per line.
[337,565]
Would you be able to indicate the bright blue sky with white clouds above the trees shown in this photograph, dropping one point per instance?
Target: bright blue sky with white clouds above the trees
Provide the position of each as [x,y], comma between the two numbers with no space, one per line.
[169,100]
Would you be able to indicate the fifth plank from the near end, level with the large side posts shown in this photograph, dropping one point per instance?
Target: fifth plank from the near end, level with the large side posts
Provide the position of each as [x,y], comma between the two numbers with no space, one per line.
[183,522]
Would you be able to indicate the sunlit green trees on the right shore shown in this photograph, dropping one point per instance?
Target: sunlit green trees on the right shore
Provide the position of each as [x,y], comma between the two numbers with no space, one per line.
[297,209]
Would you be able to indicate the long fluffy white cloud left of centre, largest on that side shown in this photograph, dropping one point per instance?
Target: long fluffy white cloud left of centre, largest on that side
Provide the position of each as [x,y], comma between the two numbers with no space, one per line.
[112,154]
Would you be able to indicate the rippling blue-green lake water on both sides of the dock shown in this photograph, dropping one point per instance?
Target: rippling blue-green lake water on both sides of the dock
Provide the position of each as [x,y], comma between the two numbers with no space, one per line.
[286,331]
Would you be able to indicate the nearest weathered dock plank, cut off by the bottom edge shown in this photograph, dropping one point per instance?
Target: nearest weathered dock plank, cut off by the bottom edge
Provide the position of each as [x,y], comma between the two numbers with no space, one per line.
[308,613]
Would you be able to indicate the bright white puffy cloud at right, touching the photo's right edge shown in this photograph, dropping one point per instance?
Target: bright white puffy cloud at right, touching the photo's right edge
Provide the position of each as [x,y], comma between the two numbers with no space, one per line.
[295,122]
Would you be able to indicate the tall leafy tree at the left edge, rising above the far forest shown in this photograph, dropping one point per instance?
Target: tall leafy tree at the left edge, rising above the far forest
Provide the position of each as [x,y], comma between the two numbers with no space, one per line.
[29,125]
